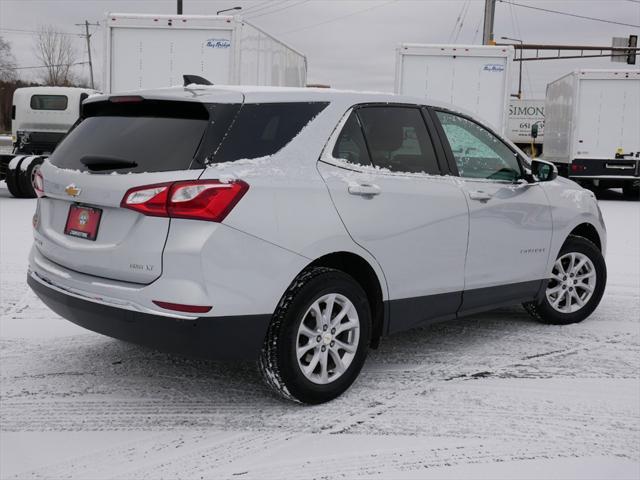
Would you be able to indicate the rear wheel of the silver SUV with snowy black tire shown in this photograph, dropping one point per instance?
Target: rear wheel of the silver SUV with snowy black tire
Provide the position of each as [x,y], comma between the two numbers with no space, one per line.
[315,376]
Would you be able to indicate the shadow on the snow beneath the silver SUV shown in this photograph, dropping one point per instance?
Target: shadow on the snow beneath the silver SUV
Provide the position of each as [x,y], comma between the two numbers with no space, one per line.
[118,368]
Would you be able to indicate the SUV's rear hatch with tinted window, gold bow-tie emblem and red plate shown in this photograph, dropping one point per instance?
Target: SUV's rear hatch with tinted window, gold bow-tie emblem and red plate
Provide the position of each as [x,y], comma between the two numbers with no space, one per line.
[122,143]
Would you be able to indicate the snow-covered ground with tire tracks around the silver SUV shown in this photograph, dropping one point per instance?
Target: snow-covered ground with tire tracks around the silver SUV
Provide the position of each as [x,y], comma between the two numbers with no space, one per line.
[491,396]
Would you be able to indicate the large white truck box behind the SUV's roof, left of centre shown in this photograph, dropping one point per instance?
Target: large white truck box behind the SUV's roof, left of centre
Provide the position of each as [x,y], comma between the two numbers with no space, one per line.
[154,51]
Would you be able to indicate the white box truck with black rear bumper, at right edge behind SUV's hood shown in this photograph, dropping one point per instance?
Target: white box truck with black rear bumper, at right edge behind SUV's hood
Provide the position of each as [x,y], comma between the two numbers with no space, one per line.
[592,128]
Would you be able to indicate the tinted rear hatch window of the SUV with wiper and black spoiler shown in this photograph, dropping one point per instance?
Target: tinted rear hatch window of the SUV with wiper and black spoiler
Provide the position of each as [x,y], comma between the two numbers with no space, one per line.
[138,137]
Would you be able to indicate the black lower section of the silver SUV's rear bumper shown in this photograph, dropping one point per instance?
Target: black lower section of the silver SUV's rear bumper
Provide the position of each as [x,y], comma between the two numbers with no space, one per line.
[220,338]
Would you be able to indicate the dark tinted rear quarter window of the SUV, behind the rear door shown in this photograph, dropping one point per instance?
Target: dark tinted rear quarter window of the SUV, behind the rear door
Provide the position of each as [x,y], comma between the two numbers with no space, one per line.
[260,130]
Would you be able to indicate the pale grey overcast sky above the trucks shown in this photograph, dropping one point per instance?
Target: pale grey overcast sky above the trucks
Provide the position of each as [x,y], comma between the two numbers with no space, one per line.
[351,43]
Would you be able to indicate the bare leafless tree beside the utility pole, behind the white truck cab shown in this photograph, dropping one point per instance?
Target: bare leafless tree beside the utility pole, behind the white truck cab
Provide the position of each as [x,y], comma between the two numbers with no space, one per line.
[57,54]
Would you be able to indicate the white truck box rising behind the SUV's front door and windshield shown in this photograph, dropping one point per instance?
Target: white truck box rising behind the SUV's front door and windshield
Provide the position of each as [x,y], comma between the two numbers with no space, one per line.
[472,77]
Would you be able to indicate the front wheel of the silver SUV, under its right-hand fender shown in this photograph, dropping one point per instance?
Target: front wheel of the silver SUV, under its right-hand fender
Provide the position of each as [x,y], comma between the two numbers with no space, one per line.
[579,277]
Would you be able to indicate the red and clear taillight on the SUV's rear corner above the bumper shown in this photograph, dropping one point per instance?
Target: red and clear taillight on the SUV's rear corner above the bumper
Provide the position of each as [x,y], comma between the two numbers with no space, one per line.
[210,200]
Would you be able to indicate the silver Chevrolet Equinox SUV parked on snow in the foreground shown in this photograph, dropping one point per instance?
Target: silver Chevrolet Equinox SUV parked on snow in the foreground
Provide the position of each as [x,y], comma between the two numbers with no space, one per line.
[299,226]
